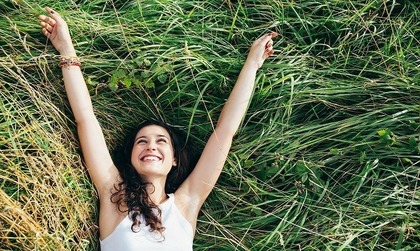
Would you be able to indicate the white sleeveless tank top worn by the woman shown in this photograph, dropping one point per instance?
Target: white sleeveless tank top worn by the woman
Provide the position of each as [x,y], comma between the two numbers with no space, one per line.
[178,234]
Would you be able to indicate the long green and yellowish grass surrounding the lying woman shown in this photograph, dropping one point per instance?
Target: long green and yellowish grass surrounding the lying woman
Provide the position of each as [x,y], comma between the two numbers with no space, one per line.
[327,157]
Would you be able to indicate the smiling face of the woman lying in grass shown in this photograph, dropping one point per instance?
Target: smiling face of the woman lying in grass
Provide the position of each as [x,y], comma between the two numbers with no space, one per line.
[153,154]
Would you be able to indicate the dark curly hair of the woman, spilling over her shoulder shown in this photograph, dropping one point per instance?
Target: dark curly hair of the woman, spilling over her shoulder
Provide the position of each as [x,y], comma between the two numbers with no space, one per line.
[131,195]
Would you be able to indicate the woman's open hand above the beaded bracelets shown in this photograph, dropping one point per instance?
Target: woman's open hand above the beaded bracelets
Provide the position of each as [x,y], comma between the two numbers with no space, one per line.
[55,29]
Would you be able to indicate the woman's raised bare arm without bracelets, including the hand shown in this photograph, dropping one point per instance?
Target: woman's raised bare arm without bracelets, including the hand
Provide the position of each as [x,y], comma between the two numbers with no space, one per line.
[209,167]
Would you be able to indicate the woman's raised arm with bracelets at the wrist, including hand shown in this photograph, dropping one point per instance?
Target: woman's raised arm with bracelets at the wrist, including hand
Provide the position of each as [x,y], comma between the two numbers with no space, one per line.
[95,152]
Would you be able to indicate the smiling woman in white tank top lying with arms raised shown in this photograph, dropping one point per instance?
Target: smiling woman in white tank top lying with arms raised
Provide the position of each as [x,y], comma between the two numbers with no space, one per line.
[148,218]
